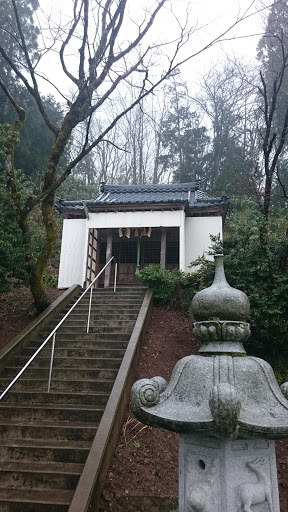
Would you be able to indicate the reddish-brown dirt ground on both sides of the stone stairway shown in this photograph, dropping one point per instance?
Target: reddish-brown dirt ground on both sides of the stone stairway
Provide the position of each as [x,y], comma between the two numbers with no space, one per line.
[145,462]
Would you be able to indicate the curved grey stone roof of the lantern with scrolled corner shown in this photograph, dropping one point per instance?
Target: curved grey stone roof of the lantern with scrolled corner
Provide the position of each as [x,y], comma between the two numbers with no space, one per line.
[185,404]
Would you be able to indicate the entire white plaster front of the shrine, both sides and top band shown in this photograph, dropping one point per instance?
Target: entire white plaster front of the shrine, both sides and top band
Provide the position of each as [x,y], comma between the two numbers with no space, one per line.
[194,237]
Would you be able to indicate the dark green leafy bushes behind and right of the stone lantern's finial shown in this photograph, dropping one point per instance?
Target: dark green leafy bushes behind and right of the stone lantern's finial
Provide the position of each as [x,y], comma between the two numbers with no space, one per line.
[260,271]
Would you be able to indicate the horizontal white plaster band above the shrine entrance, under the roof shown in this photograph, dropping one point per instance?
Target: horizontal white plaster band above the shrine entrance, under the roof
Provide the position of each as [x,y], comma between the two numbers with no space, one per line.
[134,219]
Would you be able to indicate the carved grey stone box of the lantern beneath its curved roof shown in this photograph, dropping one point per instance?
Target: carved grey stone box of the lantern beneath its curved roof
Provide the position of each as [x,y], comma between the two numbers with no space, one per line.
[227,475]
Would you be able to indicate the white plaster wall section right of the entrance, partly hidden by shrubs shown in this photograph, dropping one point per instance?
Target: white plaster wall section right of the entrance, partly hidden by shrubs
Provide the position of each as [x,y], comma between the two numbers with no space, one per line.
[197,236]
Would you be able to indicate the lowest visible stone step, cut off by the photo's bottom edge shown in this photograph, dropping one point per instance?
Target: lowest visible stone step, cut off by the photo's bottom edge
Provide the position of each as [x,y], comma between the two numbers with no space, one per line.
[34,500]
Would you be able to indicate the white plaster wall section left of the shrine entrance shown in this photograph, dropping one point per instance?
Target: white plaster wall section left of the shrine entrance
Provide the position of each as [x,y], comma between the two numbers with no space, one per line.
[73,256]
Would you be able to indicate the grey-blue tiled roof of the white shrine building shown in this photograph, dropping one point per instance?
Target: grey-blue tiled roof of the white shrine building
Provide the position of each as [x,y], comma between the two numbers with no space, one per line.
[125,195]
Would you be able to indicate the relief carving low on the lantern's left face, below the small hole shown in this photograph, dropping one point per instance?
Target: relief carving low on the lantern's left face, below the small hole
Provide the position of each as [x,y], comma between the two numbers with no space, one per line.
[200,495]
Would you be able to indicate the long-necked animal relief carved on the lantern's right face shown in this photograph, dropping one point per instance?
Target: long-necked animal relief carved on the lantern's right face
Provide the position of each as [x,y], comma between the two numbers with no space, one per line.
[256,493]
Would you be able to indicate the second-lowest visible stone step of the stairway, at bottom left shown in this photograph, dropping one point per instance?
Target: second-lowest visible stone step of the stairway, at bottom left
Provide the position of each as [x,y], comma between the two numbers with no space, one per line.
[43,475]
